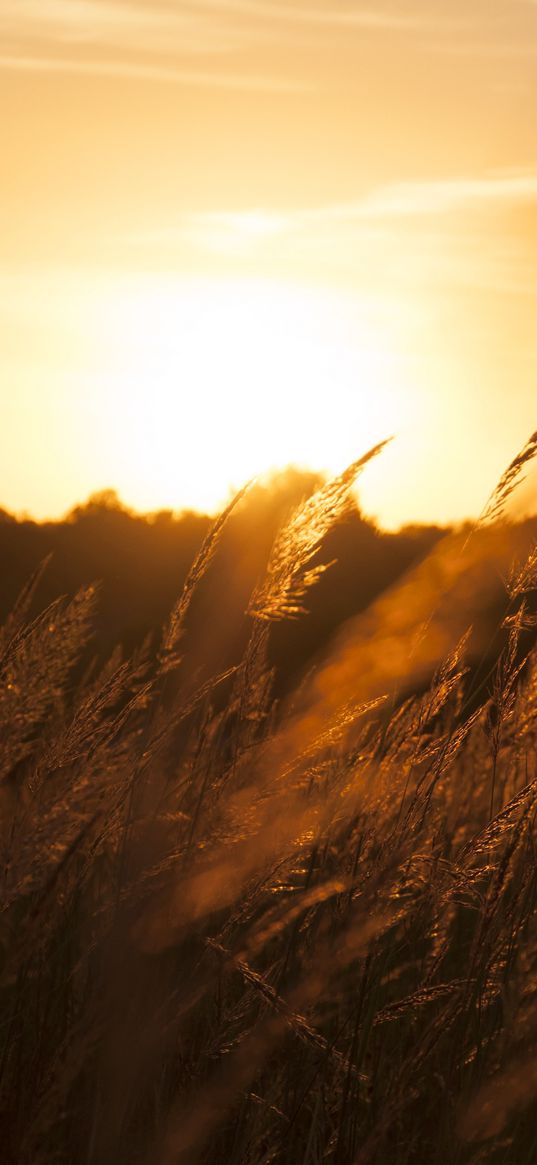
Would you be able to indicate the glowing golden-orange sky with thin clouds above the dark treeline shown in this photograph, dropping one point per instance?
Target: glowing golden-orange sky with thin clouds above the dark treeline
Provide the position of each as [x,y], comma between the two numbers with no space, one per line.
[242,234]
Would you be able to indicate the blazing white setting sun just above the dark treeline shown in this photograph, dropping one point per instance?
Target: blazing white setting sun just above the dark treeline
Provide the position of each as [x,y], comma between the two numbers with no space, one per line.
[211,384]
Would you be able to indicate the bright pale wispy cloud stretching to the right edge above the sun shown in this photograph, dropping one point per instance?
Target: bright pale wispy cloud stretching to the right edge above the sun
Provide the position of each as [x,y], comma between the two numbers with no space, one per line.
[453,232]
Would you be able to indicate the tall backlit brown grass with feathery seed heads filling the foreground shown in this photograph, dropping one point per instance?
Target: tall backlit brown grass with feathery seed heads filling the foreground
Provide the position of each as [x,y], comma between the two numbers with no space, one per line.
[241,933]
